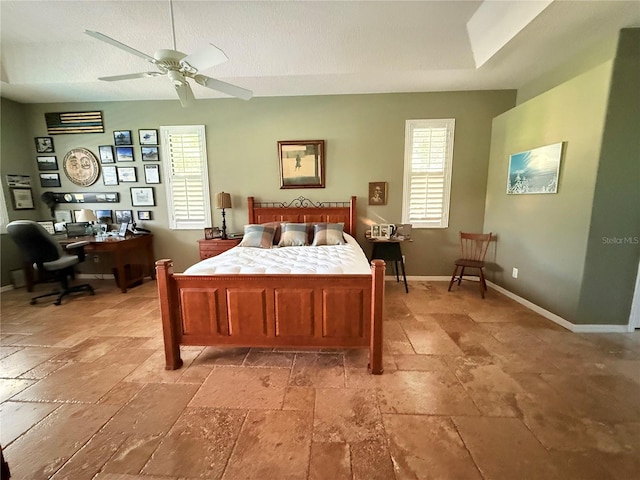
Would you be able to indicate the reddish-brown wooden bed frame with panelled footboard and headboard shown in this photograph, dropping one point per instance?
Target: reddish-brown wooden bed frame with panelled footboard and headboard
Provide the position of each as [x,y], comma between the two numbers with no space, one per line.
[321,311]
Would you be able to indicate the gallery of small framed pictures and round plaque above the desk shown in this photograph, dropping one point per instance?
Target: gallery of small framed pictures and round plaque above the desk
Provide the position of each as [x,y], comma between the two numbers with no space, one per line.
[117,153]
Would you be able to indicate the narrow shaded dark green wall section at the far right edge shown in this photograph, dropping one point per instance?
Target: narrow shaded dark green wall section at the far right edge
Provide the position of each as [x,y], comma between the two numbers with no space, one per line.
[614,237]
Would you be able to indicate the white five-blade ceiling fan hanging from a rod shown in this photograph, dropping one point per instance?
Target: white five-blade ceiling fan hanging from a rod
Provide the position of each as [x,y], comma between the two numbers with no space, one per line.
[178,66]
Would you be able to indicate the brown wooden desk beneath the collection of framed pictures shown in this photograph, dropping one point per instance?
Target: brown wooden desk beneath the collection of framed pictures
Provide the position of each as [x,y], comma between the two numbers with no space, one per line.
[134,251]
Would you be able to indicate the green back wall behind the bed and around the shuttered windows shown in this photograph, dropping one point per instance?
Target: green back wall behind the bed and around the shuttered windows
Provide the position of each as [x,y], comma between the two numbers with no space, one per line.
[364,137]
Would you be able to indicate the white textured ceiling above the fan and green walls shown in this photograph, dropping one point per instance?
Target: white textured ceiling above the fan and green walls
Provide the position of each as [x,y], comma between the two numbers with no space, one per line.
[297,47]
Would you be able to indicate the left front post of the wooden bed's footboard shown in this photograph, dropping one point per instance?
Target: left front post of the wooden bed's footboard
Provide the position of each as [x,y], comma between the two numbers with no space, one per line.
[168,309]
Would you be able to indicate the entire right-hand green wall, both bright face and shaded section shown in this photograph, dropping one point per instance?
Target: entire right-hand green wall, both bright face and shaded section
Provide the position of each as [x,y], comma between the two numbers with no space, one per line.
[558,241]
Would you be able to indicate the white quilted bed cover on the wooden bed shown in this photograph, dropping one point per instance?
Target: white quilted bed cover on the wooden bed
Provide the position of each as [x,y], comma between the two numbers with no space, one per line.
[333,260]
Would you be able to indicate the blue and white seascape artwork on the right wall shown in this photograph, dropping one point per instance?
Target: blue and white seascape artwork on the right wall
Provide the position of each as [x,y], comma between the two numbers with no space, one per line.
[535,171]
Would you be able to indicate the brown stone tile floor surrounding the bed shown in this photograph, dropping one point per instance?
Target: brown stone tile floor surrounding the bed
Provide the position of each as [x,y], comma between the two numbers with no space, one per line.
[472,389]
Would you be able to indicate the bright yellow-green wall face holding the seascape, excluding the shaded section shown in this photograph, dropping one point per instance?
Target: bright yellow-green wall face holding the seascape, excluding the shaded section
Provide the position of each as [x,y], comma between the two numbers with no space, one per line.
[545,236]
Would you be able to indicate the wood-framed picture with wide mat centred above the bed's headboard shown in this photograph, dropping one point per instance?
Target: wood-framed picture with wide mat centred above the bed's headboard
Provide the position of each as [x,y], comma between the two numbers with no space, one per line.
[301,163]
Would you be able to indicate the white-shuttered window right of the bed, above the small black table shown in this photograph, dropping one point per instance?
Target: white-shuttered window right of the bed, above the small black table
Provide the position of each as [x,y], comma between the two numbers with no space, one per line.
[427,172]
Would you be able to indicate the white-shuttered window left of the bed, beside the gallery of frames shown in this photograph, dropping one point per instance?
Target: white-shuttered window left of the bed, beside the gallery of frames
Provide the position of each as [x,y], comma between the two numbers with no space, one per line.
[187,181]
